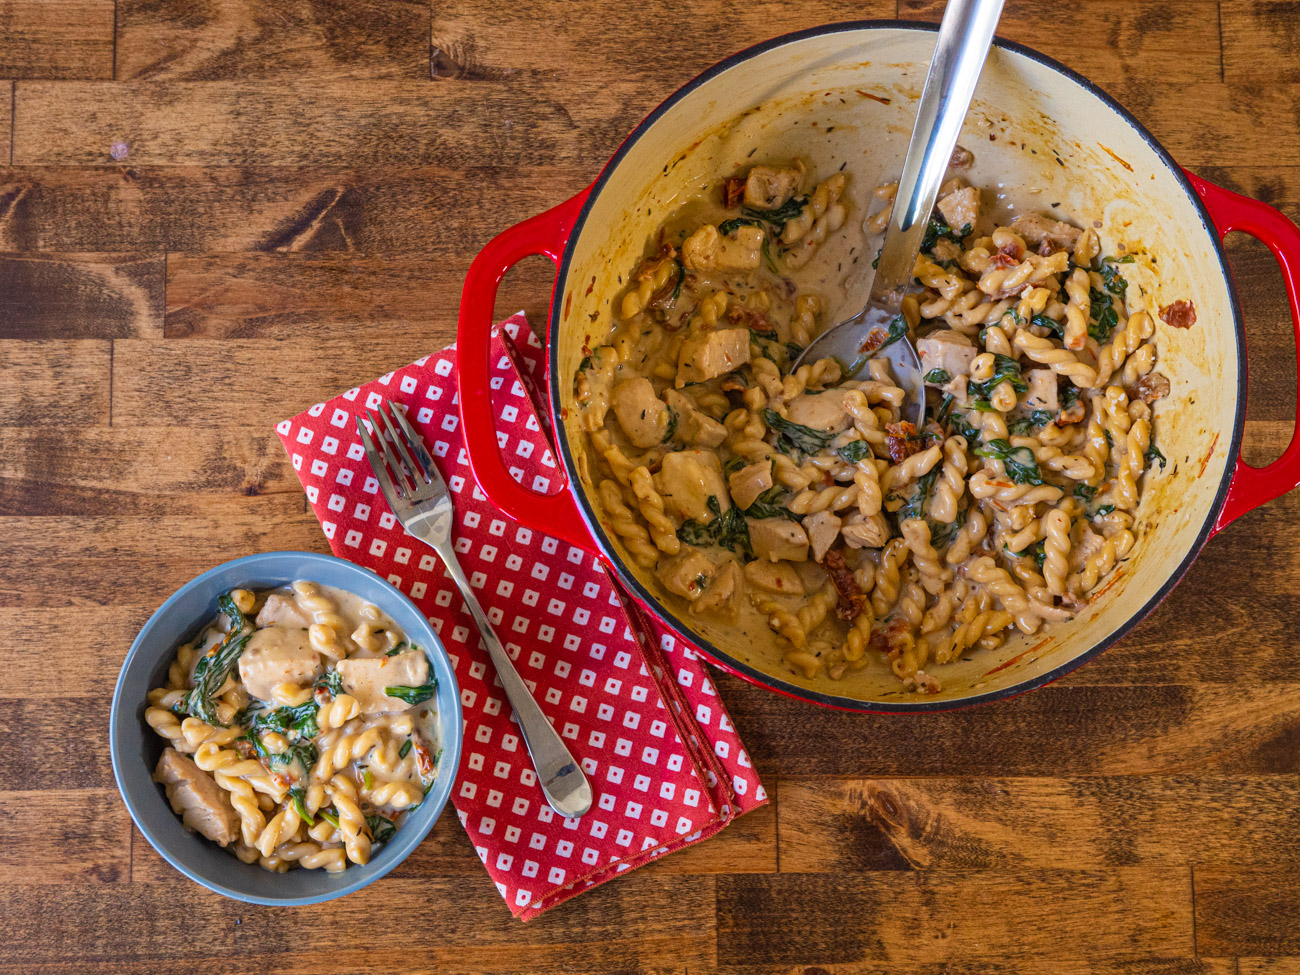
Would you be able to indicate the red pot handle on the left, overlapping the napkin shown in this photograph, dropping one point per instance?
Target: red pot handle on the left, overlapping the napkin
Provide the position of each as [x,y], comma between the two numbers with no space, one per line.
[547,235]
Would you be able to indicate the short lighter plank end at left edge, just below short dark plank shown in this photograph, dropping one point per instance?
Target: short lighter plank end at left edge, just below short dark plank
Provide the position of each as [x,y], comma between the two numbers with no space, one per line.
[54,382]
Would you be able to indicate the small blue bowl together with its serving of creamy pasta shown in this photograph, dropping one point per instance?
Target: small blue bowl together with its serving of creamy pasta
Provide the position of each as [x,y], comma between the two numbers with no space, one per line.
[306,726]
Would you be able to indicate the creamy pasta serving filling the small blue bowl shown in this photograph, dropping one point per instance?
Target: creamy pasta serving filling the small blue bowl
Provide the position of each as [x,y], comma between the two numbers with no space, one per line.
[300,729]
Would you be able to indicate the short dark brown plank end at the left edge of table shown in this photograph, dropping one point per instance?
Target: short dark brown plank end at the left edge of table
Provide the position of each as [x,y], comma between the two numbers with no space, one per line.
[83,296]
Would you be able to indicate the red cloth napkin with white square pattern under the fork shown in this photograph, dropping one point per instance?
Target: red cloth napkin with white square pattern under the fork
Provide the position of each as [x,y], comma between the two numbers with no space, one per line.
[636,707]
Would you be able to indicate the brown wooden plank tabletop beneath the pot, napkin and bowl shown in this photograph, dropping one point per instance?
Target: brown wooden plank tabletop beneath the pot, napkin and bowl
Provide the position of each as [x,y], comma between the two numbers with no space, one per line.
[216,213]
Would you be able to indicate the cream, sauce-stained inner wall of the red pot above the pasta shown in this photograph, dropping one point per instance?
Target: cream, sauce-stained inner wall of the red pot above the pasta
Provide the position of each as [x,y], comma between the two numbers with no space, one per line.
[1045,141]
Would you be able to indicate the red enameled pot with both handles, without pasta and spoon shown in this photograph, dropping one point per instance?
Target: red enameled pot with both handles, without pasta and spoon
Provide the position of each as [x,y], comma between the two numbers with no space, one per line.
[844,94]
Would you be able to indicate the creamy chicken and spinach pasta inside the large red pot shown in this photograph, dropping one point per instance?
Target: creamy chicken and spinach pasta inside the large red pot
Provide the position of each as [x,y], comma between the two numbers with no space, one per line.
[798,504]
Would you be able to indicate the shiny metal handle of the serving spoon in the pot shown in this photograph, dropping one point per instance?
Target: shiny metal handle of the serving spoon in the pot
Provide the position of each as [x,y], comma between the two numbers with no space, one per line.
[965,37]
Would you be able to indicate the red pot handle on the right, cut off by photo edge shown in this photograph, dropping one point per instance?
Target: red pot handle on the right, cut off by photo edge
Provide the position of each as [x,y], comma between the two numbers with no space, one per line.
[1253,487]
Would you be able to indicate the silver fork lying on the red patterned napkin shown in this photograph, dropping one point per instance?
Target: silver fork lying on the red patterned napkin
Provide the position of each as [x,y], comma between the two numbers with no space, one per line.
[422,502]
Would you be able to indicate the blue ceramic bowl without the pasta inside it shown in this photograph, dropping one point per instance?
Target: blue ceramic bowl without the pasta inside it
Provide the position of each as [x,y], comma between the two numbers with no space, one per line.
[136,748]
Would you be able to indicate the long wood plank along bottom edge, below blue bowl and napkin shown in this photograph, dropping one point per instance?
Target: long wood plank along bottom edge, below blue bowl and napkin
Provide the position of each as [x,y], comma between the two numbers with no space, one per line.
[180,921]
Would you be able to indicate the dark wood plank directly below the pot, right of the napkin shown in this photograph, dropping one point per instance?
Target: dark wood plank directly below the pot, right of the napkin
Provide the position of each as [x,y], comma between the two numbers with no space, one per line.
[1113,730]
